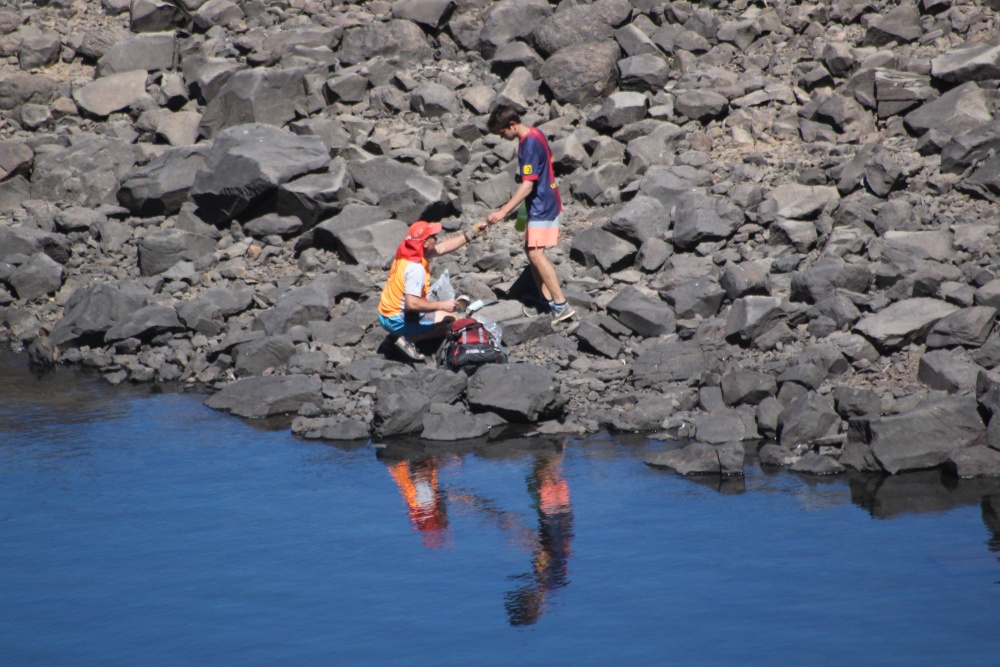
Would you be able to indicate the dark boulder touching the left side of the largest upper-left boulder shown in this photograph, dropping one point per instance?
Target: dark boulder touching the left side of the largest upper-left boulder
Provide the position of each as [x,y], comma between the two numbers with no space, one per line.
[162,186]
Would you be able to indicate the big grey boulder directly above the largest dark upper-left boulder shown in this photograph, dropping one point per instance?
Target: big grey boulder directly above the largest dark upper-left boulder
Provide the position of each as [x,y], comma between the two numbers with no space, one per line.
[261,95]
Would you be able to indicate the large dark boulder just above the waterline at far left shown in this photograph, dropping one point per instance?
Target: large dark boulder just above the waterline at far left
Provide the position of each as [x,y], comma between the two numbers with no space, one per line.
[91,311]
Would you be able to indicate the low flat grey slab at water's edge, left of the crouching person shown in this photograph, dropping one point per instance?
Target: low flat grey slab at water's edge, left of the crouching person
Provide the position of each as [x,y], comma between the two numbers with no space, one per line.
[259,397]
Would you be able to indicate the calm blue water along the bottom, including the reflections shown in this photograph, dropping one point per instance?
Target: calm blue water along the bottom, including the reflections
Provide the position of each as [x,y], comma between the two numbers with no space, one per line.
[143,528]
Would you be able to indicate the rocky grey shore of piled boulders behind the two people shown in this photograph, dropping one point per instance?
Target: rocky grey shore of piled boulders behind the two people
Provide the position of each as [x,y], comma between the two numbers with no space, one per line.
[780,230]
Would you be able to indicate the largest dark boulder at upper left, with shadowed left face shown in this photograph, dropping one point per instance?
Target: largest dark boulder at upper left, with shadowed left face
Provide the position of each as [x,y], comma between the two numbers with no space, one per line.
[247,163]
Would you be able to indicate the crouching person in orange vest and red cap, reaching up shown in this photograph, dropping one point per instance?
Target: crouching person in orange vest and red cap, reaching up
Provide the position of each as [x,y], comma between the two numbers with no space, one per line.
[404,310]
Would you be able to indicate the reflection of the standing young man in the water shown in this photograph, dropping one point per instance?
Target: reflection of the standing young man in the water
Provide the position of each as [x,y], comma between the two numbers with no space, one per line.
[550,557]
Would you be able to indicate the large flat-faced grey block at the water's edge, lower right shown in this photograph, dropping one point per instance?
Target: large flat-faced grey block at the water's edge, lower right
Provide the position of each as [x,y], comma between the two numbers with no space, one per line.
[924,437]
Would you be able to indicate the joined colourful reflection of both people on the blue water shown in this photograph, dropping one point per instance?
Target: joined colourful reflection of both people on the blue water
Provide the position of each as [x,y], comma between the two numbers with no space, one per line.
[549,543]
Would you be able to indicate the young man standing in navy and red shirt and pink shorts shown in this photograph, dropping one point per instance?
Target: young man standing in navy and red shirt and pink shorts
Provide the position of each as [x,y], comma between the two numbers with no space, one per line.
[541,195]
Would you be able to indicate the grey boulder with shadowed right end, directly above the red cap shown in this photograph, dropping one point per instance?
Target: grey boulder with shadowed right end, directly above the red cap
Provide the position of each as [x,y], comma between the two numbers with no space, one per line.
[405,190]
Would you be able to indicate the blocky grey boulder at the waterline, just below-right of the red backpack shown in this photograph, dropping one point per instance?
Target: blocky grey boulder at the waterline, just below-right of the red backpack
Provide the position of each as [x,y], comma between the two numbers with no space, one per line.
[516,392]
